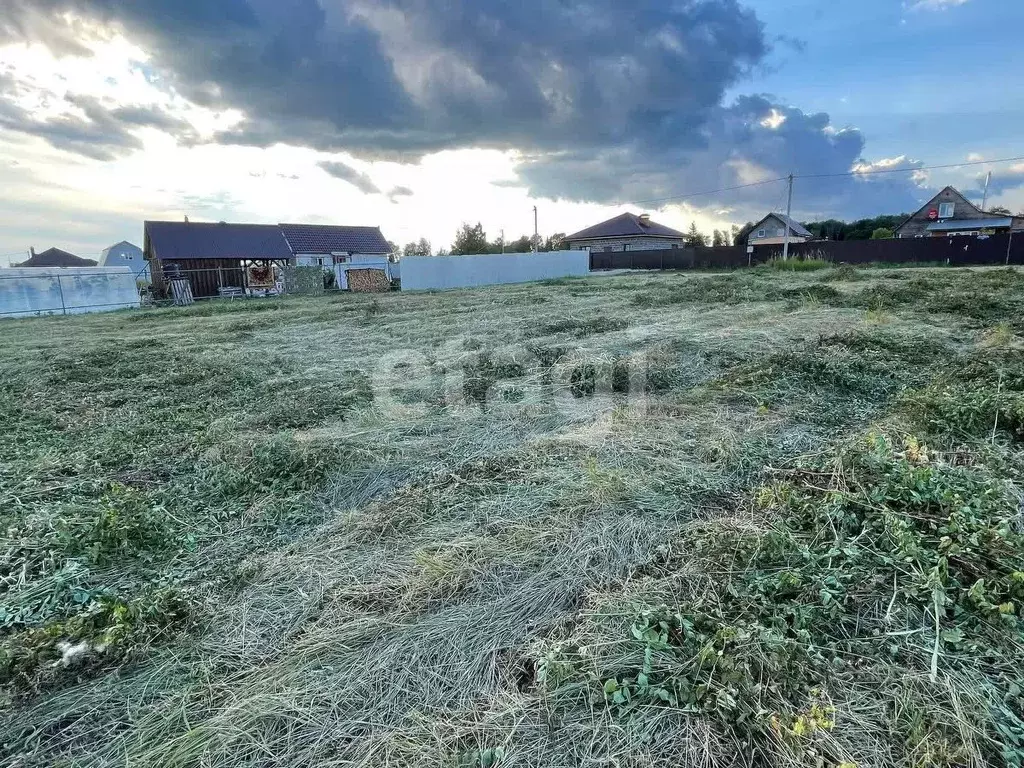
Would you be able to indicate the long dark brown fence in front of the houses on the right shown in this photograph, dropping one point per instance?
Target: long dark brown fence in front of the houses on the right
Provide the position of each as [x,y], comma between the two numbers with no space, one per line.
[961,251]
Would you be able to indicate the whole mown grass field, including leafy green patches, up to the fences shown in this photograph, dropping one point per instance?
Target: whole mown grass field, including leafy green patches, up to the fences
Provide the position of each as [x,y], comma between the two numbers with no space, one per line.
[765,519]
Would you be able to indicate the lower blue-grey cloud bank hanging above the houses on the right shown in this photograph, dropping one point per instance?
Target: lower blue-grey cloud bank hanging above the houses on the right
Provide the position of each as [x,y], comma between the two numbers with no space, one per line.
[752,141]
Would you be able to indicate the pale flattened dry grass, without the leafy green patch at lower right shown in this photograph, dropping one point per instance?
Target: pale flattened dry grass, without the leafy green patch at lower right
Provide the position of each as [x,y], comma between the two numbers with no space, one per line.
[388,514]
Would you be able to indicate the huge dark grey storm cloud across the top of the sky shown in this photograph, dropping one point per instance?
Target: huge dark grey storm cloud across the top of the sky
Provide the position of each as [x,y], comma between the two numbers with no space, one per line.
[420,75]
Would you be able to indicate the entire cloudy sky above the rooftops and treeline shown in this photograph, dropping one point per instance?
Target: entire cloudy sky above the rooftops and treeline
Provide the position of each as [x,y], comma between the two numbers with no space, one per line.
[420,115]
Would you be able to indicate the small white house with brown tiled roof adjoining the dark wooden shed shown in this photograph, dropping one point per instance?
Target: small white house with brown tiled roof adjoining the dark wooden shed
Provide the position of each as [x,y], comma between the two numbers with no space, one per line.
[361,250]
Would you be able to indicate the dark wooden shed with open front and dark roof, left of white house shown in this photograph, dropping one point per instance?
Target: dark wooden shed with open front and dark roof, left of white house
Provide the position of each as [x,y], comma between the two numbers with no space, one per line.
[218,260]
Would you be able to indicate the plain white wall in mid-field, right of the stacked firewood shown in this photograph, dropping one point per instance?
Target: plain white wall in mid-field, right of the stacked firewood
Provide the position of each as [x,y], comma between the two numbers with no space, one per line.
[443,273]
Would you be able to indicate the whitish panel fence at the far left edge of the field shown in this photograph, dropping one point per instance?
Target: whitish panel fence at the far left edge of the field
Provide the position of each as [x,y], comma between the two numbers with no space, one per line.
[29,291]
